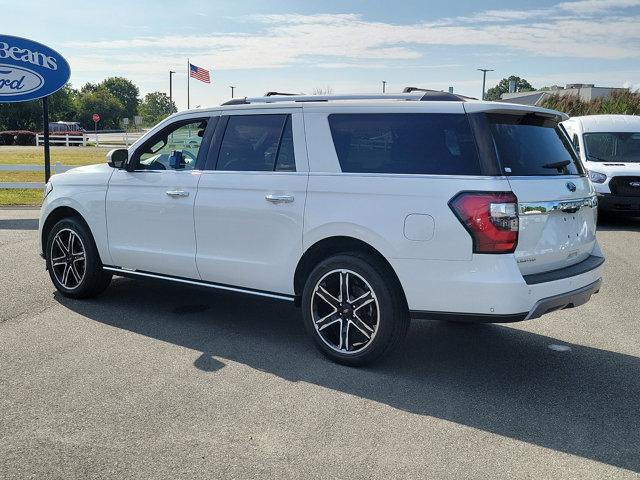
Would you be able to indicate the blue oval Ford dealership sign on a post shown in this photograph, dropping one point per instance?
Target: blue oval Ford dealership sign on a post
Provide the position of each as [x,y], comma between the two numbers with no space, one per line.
[29,70]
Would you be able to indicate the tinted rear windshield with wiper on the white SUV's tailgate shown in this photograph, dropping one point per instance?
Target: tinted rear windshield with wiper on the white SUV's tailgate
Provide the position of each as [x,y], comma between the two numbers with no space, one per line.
[532,145]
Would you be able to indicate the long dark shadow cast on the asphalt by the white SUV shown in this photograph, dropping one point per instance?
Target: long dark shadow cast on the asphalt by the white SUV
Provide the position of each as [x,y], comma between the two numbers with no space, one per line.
[495,378]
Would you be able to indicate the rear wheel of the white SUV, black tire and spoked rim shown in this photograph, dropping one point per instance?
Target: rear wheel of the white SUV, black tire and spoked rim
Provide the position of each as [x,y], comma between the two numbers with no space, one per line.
[388,301]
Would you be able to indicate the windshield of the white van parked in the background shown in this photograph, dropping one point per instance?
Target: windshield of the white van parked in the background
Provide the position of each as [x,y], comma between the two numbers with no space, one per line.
[612,147]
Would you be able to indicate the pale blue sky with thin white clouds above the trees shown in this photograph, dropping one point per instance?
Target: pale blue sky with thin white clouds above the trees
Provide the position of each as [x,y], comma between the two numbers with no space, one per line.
[349,45]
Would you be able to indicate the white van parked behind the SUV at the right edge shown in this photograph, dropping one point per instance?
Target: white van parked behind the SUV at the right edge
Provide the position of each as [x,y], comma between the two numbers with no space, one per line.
[609,146]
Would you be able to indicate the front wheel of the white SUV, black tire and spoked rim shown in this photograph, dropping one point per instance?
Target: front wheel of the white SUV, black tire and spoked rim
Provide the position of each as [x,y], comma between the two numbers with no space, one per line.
[93,279]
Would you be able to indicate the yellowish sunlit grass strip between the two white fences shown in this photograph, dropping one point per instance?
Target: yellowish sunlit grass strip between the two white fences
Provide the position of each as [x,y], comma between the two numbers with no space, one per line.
[65,155]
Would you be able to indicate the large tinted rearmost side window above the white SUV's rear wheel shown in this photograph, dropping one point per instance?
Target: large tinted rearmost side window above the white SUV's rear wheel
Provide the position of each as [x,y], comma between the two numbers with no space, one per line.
[413,143]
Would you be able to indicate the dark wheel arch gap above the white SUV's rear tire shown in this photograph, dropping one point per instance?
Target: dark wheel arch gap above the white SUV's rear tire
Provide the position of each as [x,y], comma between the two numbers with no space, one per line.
[332,246]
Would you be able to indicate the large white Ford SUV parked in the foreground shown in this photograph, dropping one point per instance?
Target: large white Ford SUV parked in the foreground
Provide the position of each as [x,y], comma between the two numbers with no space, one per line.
[364,210]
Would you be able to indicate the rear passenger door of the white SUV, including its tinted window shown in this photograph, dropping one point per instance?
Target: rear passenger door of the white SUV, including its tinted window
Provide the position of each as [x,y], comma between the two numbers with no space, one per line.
[250,204]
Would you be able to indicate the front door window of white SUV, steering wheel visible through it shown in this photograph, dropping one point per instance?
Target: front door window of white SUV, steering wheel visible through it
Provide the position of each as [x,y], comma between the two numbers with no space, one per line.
[174,148]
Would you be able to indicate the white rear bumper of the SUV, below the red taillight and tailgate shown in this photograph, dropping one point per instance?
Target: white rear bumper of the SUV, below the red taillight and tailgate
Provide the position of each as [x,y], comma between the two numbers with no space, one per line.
[491,288]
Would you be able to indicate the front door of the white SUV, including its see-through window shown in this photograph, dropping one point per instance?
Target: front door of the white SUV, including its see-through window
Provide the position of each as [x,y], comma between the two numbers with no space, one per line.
[150,205]
